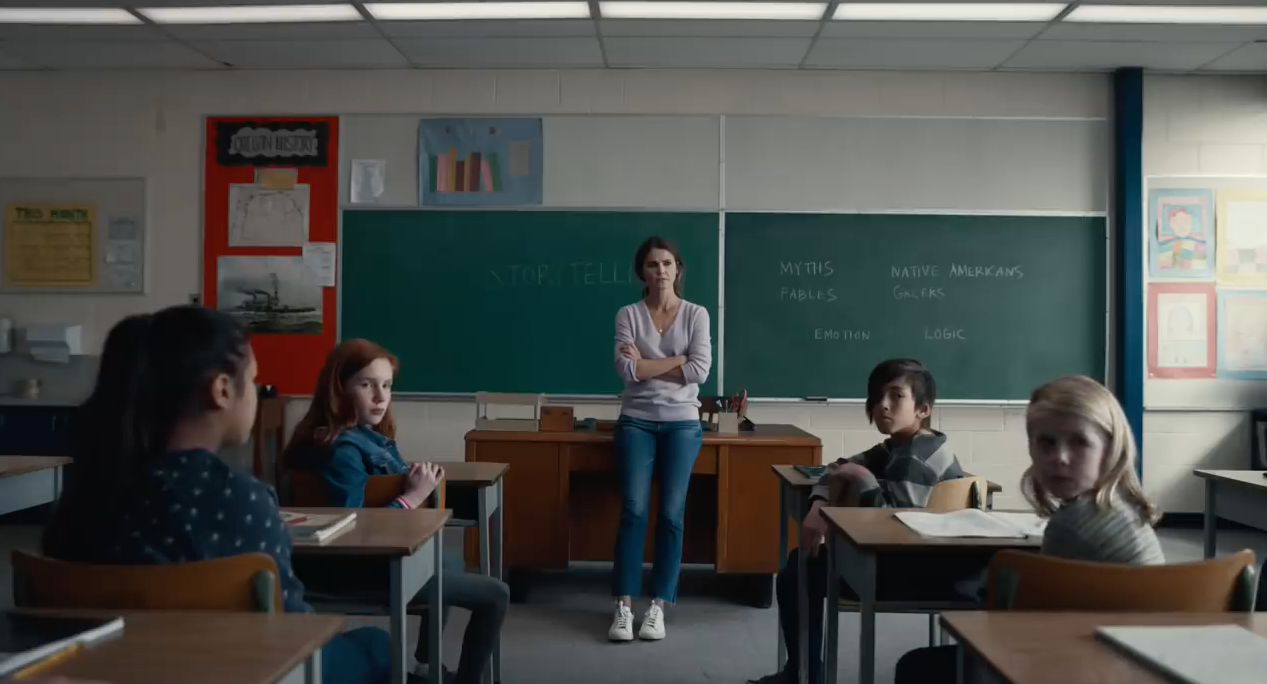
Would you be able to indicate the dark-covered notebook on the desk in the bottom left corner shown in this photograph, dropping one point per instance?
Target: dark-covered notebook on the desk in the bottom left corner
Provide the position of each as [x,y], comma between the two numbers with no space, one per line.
[30,640]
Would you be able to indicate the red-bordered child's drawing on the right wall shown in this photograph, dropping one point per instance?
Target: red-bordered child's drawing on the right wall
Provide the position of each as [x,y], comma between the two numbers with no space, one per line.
[1181,330]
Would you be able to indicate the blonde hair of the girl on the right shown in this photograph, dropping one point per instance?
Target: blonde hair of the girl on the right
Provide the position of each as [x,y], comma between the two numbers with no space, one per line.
[1088,400]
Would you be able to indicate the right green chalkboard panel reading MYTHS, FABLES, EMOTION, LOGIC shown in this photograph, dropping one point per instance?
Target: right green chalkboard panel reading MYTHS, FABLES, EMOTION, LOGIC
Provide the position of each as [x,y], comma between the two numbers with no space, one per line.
[994,306]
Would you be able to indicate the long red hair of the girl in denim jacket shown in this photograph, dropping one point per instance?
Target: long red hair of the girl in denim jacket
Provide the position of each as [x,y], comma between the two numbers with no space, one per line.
[331,410]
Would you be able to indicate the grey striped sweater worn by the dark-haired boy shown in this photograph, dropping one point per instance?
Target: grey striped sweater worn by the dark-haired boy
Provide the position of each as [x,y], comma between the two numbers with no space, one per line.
[903,472]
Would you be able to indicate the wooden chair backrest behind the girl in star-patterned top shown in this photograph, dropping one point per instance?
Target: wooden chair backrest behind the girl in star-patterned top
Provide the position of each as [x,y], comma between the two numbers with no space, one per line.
[245,583]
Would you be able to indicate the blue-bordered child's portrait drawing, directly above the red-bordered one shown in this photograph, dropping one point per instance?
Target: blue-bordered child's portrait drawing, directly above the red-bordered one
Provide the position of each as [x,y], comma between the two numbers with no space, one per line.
[1180,234]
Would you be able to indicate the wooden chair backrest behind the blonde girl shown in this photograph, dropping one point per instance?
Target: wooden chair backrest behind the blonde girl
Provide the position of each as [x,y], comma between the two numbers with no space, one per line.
[1033,582]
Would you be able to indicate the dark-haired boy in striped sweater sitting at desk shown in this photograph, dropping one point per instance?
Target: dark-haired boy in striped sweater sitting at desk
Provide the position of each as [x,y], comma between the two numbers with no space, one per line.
[899,473]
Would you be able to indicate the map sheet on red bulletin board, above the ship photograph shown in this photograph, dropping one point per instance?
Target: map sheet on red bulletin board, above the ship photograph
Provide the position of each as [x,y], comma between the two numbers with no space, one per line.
[265,217]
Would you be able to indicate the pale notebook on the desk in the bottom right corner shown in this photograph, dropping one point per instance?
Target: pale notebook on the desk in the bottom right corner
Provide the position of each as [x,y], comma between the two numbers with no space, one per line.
[1208,654]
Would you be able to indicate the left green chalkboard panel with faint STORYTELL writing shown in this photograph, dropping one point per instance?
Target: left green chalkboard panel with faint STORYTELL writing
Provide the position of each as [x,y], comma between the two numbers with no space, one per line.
[505,301]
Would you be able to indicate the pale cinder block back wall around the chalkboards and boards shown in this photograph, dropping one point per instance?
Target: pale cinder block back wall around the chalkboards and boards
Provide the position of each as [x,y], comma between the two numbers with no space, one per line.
[151,125]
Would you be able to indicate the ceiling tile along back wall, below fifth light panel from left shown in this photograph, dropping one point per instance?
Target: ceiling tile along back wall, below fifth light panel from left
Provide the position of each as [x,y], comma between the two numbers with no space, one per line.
[910,54]
